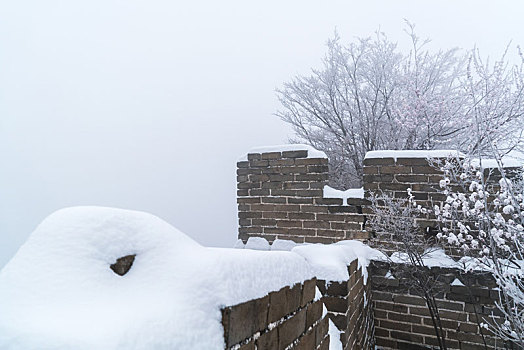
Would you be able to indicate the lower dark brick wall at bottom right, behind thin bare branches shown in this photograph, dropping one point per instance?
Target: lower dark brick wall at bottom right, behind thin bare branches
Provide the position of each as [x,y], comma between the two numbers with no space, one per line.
[402,319]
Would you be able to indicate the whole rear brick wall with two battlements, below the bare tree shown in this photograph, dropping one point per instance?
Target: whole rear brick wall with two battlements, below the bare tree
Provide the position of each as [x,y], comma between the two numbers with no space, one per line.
[280,195]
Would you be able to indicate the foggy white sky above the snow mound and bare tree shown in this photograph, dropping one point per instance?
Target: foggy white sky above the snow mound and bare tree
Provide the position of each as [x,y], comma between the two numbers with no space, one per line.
[148,104]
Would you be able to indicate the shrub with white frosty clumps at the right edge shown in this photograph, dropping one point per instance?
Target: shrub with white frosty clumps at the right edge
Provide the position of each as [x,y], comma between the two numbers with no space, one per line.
[483,216]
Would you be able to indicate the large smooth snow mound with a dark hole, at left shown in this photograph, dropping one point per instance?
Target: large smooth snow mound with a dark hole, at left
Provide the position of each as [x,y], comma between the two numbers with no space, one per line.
[58,292]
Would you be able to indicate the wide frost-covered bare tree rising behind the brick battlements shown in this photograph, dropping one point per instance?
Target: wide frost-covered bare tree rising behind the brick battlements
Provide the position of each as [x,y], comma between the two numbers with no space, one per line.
[370,95]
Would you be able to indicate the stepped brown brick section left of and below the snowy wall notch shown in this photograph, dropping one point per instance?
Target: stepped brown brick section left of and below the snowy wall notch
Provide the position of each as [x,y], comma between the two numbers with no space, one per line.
[280,195]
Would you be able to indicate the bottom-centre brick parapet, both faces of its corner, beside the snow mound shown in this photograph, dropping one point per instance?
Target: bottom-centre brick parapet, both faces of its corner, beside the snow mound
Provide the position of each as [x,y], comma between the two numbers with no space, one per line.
[291,318]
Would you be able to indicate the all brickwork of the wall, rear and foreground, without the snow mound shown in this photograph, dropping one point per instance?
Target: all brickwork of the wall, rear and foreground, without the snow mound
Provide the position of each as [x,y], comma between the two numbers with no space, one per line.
[281,197]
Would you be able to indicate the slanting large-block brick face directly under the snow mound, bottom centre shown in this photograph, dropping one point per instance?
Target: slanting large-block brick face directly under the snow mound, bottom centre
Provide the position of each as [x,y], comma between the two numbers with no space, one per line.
[286,319]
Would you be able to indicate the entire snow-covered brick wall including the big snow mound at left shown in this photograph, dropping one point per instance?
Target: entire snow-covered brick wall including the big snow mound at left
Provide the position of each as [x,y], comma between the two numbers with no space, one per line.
[308,271]
